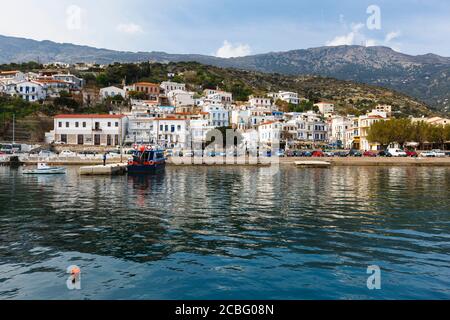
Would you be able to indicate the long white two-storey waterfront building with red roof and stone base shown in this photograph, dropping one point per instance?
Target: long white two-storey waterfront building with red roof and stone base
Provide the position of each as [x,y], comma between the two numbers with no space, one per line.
[90,130]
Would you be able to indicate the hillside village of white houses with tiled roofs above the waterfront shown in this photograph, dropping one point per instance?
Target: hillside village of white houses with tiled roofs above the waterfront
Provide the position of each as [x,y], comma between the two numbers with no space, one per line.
[179,116]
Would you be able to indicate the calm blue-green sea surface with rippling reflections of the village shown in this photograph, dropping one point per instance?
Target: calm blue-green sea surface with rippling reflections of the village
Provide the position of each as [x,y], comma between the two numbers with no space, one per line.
[227,233]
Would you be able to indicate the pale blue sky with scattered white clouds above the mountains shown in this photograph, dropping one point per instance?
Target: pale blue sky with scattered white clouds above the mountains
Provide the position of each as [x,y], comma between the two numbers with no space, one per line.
[228,28]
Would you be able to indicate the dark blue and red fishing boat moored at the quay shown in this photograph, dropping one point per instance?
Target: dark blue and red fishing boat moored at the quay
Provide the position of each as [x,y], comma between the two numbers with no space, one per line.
[146,159]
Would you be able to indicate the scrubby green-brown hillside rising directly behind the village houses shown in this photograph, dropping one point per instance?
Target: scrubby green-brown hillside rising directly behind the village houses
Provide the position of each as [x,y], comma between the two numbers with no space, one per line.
[349,97]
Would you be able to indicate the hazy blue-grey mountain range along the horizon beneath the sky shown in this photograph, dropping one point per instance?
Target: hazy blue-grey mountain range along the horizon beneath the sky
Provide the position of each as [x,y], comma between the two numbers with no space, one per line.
[424,77]
